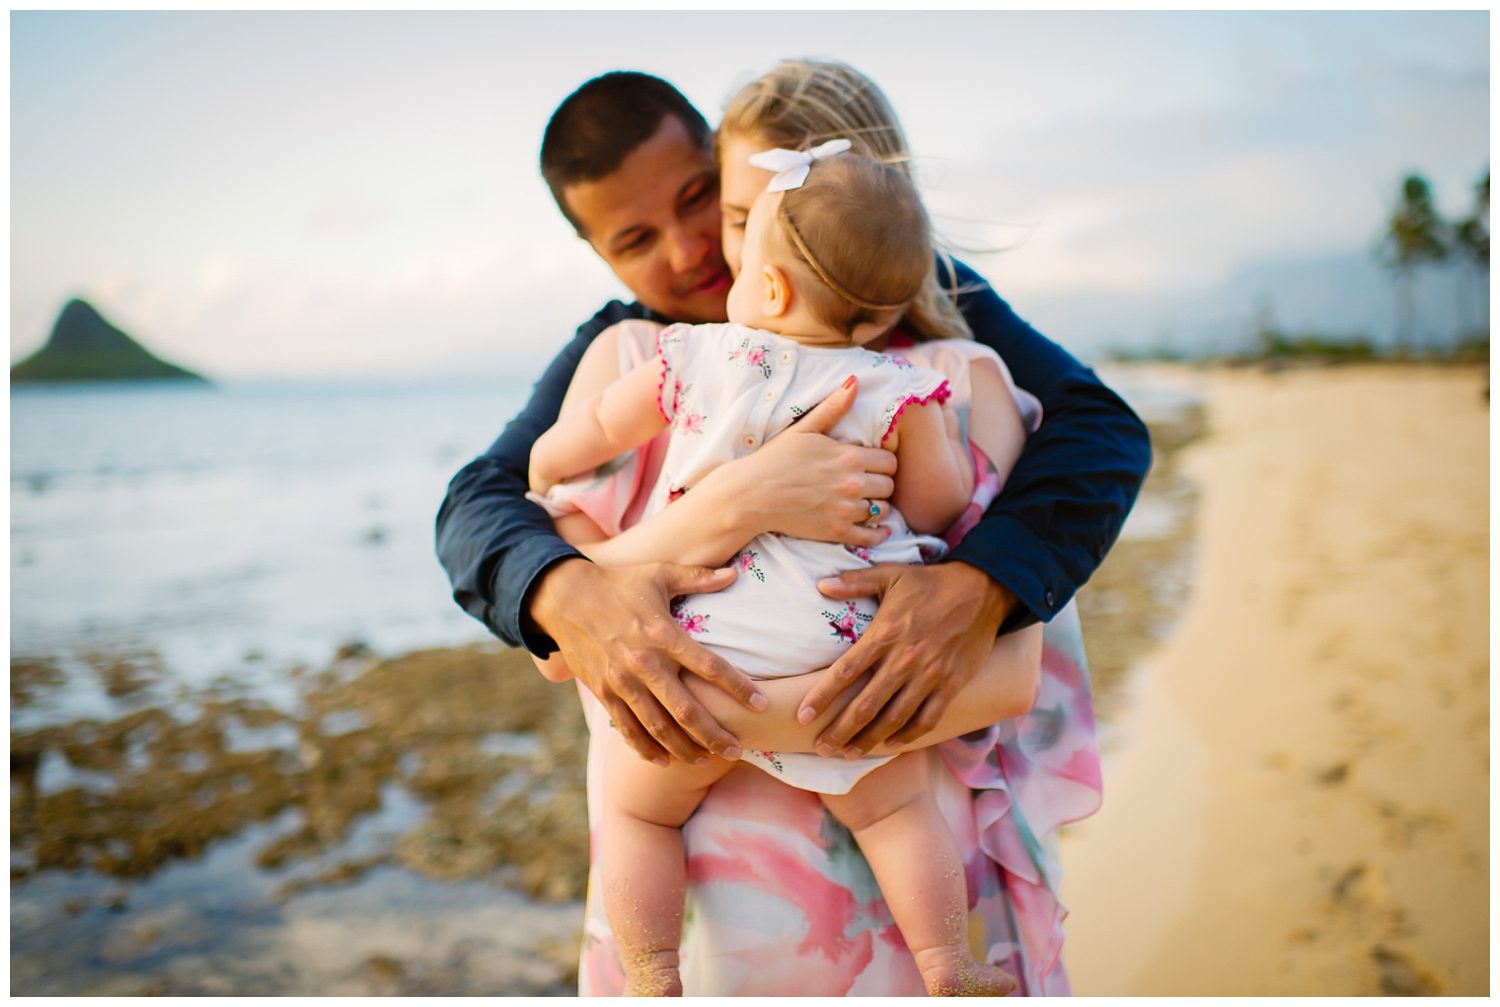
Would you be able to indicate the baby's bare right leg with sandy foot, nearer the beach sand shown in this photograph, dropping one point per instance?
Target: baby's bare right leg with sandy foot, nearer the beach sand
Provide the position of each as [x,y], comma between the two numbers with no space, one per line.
[901,832]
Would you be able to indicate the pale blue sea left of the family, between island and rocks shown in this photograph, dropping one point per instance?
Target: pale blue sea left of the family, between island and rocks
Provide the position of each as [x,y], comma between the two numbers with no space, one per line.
[266,522]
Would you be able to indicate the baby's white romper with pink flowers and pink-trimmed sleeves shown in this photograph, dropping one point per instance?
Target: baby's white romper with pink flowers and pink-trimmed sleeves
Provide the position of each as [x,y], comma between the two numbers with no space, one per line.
[728,389]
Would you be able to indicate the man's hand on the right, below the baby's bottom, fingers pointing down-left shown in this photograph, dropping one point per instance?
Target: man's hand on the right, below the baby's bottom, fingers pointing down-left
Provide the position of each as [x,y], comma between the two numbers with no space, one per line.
[934,630]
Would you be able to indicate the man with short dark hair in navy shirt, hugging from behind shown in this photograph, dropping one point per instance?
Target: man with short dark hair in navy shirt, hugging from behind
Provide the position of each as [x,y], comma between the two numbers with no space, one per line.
[631,167]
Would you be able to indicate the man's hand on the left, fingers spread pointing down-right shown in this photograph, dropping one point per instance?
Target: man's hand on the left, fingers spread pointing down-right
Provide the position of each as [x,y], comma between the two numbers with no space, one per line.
[616,630]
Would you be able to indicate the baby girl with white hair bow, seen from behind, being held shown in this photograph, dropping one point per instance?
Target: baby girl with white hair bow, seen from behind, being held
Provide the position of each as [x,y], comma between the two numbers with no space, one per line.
[835,253]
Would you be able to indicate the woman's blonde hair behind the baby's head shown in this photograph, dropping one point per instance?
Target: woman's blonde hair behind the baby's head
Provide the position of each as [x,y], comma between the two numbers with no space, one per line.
[799,104]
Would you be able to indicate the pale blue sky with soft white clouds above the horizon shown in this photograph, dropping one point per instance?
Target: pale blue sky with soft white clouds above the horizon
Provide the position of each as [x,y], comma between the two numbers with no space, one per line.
[356,194]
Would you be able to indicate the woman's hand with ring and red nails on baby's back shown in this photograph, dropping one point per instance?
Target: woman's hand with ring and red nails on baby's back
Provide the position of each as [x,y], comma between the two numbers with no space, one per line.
[805,484]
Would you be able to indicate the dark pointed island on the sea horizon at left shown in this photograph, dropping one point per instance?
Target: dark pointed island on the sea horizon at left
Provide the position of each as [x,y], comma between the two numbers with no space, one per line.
[85,347]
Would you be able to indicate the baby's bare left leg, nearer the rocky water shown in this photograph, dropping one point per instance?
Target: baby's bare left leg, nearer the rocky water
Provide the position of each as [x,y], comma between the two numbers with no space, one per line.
[643,865]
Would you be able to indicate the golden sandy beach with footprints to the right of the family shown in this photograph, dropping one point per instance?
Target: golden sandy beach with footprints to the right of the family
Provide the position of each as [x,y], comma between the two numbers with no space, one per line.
[1297,787]
